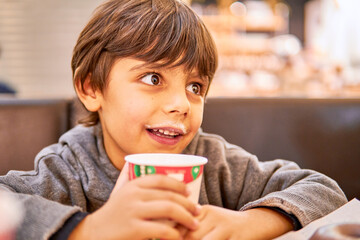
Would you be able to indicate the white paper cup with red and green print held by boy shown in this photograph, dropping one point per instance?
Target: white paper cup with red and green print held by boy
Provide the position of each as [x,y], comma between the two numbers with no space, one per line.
[185,168]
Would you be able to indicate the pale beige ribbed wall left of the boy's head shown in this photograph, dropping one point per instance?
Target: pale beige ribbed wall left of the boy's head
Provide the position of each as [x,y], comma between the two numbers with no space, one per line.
[37,38]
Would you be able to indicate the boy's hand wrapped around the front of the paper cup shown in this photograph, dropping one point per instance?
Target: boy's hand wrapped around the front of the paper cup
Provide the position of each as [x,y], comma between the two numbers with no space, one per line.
[133,208]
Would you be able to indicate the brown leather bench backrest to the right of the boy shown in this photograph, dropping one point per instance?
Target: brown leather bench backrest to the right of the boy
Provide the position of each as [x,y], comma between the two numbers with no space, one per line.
[320,134]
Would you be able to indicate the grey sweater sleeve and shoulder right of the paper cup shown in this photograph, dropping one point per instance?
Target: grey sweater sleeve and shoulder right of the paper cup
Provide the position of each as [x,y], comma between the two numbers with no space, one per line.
[236,180]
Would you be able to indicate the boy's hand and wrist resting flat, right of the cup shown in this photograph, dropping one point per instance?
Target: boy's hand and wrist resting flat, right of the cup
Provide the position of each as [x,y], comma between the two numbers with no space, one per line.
[219,223]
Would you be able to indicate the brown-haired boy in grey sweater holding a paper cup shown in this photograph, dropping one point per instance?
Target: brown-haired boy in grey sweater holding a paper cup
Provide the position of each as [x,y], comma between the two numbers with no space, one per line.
[143,68]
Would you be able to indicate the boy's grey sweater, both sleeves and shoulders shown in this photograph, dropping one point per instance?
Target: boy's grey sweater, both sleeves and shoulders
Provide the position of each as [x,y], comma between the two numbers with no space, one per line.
[76,175]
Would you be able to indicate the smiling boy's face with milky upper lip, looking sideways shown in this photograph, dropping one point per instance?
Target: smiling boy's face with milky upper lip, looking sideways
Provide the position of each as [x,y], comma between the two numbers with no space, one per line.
[144,109]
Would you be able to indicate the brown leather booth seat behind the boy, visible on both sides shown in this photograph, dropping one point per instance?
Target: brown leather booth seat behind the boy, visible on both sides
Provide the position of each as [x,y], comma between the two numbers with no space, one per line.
[320,134]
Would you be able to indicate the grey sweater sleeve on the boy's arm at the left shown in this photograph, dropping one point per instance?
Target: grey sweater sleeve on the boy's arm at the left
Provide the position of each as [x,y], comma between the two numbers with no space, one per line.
[49,196]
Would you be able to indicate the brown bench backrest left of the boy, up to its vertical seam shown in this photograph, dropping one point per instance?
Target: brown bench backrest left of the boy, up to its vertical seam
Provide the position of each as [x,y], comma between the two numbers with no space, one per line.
[27,126]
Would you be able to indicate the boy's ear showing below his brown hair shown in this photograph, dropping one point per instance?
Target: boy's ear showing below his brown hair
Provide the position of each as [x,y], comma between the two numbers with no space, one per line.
[88,96]
